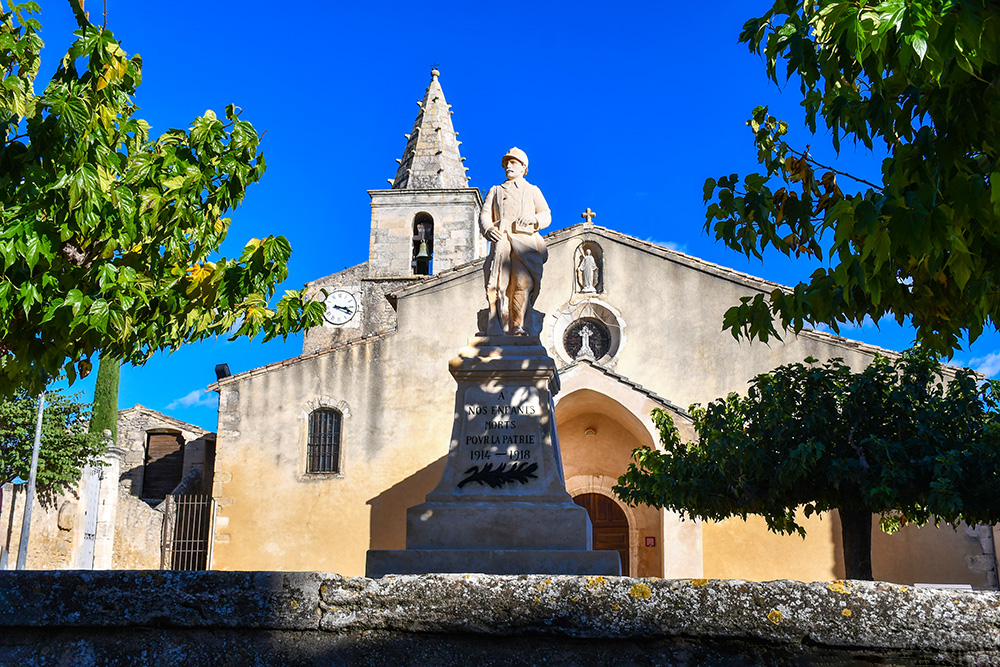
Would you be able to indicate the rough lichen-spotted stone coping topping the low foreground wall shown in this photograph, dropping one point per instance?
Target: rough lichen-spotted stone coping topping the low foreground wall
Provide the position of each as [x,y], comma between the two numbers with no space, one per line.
[877,616]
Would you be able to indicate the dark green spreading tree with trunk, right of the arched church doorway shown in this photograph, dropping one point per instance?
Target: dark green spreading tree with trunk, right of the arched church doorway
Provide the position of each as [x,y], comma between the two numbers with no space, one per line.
[891,440]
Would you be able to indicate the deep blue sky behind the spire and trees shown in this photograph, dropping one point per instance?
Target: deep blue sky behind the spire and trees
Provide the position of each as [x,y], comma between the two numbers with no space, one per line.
[626,111]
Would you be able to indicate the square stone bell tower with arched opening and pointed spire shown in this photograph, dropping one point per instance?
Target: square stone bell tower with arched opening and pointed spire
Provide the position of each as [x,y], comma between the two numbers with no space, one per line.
[428,221]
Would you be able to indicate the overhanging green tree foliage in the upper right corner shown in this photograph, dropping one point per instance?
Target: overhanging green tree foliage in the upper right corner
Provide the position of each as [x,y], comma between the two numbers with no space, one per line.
[919,79]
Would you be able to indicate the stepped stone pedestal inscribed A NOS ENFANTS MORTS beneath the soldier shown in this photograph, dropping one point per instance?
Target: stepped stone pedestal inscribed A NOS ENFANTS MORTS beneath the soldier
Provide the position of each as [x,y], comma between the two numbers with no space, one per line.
[501,506]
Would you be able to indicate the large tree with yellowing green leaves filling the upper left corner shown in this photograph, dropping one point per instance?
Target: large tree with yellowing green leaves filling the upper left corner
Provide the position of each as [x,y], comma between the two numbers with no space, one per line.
[108,238]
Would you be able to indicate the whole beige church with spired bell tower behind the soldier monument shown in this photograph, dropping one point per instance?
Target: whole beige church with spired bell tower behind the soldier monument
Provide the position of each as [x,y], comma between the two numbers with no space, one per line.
[319,456]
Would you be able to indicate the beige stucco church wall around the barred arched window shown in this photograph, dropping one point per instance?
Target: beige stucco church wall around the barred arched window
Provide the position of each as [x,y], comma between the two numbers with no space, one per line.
[272,514]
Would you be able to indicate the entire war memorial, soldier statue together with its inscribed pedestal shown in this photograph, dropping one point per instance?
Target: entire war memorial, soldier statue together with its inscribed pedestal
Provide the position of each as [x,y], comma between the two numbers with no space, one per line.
[501,506]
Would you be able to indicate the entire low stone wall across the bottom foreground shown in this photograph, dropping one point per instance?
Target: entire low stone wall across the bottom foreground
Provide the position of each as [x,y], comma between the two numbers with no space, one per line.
[309,618]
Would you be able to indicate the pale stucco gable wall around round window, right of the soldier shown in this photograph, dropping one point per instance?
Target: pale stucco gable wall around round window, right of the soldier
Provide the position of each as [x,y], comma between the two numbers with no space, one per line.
[673,308]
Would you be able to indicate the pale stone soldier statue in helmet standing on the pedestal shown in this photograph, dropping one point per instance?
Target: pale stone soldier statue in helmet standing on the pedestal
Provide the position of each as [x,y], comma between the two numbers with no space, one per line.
[512,215]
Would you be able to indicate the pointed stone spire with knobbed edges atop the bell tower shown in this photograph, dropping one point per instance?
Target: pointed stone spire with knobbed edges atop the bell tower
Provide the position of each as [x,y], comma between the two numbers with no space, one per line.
[431,160]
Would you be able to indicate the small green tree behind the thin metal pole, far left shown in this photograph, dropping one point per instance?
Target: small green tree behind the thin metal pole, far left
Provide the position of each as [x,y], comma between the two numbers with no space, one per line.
[68,446]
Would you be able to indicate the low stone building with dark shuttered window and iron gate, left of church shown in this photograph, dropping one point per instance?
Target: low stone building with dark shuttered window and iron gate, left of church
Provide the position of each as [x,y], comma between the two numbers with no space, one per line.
[143,506]
